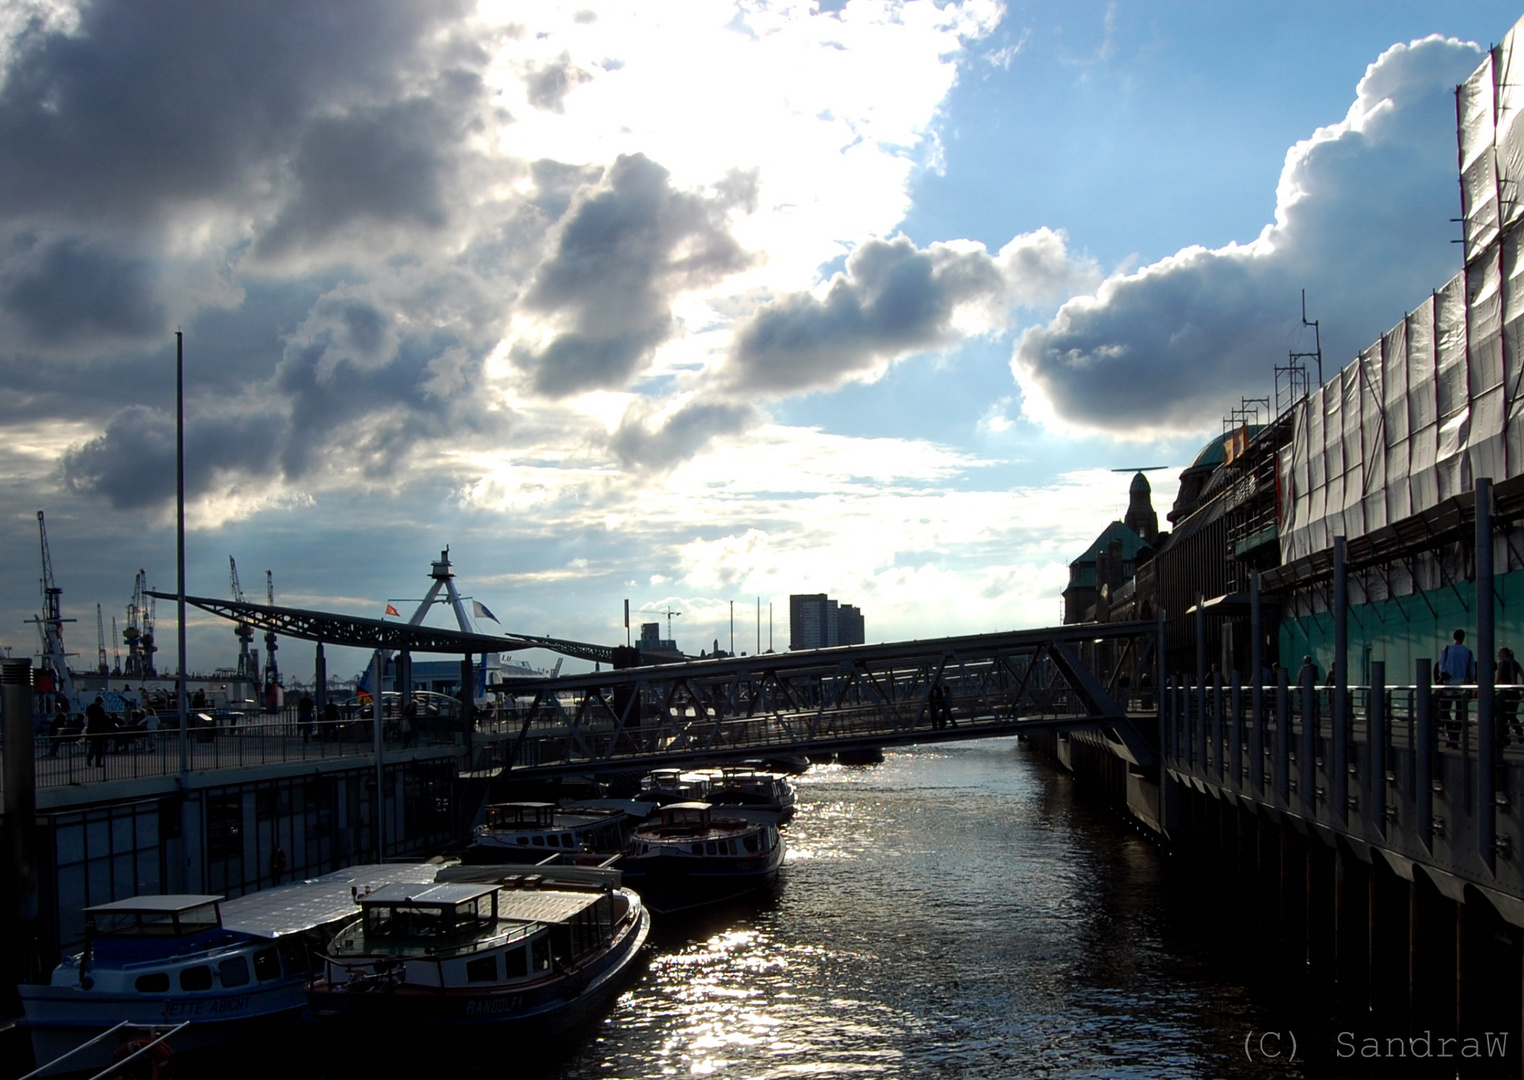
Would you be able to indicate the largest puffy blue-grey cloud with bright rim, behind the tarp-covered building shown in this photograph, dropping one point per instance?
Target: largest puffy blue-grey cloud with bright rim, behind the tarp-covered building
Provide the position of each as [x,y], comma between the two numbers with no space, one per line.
[1363,226]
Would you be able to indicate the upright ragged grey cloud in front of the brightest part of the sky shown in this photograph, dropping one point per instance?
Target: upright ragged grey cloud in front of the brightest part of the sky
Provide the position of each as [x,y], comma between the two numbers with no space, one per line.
[624,252]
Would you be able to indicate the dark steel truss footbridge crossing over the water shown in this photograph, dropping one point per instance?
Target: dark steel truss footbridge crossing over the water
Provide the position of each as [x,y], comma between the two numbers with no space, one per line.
[837,700]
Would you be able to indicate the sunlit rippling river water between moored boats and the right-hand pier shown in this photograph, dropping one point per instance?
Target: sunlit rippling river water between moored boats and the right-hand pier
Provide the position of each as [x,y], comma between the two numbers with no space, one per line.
[955,912]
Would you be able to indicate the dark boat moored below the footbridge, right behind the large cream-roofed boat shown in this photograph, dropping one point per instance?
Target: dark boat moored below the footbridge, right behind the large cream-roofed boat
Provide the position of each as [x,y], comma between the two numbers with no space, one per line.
[694,855]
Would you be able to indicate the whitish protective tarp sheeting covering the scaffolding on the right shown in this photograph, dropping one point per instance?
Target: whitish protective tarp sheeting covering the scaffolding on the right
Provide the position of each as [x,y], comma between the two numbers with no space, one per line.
[1439,400]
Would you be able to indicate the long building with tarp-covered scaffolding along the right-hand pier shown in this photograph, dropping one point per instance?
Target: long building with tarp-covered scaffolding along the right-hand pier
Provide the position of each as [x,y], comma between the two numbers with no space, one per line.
[1385,455]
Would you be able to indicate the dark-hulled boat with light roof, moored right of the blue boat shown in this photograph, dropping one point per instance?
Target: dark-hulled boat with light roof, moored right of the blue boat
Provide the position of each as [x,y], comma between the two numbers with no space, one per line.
[525,956]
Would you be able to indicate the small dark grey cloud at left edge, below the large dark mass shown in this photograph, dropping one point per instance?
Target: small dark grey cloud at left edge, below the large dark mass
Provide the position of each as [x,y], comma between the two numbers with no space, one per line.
[66,290]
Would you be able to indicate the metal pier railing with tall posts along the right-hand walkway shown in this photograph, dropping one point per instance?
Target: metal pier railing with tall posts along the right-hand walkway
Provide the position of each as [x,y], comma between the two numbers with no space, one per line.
[1429,773]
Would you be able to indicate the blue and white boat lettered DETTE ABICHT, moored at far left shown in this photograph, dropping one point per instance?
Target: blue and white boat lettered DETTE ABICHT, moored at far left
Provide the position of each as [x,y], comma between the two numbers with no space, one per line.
[225,968]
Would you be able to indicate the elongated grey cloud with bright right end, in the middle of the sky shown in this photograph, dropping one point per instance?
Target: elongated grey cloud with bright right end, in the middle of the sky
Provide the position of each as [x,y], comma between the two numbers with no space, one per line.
[894,299]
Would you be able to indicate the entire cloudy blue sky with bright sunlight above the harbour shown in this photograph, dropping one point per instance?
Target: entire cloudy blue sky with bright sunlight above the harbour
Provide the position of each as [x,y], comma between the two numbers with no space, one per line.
[694,304]
